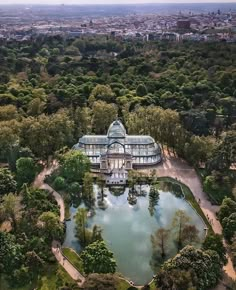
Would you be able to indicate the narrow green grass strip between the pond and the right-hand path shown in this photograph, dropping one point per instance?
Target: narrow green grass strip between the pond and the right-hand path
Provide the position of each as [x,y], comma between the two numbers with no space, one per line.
[190,198]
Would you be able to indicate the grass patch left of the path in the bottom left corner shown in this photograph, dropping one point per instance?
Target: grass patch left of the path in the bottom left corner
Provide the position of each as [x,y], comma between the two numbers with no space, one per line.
[53,279]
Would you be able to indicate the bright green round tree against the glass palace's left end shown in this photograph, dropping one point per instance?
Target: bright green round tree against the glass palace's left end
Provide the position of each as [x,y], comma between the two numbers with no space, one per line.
[74,165]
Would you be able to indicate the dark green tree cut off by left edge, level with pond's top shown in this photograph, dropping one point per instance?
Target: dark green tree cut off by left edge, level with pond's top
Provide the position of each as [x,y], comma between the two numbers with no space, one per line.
[7,182]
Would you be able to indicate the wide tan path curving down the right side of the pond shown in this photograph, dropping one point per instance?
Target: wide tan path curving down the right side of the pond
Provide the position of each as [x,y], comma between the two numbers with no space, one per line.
[180,170]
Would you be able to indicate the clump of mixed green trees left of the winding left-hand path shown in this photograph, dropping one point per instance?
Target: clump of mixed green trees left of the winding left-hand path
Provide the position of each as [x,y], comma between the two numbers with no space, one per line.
[26,250]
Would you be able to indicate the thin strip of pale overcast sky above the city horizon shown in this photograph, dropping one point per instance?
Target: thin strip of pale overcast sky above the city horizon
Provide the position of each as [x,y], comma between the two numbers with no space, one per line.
[107,1]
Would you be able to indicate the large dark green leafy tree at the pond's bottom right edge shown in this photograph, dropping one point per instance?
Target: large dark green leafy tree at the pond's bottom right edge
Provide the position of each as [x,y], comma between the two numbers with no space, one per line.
[203,270]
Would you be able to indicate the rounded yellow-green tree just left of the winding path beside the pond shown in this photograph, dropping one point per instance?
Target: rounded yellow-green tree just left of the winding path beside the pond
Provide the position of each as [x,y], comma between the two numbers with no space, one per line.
[51,226]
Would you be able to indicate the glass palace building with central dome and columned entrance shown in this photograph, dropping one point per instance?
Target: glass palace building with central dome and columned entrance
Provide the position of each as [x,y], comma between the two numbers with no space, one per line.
[119,151]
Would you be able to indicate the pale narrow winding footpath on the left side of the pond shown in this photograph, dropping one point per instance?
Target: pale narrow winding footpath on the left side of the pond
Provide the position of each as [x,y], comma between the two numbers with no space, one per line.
[56,246]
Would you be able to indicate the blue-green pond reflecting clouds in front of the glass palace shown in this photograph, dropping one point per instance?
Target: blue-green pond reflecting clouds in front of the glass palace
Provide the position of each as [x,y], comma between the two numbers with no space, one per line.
[127,229]
